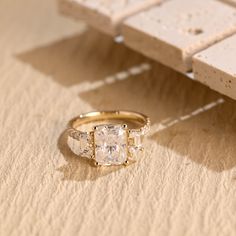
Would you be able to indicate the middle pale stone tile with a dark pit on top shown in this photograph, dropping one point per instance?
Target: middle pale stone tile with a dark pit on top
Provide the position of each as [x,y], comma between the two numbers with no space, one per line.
[176,30]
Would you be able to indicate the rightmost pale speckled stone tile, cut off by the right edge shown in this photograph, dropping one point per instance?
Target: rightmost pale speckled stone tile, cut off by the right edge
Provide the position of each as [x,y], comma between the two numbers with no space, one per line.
[216,67]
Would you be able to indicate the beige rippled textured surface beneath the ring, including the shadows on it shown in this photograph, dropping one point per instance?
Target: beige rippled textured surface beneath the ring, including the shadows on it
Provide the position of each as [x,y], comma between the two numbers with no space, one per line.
[52,70]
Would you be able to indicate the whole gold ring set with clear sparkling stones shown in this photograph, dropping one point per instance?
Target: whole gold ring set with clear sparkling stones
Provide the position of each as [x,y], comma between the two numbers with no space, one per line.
[116,138]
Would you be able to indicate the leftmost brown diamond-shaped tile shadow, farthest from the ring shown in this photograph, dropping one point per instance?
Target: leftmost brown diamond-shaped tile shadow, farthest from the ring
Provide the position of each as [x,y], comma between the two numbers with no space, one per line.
[88,56]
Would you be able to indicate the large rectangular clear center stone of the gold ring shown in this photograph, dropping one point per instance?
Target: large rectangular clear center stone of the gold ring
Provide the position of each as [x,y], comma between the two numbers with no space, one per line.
[110,144]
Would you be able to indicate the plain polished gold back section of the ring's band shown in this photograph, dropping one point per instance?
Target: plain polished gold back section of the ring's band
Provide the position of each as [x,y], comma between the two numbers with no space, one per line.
[95,116]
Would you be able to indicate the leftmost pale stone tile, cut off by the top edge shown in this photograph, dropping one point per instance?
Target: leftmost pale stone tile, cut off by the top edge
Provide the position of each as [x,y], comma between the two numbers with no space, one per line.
[103,14]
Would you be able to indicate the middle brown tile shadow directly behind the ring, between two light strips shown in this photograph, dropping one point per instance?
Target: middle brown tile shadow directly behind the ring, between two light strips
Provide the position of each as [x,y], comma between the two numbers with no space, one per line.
[161,93]
